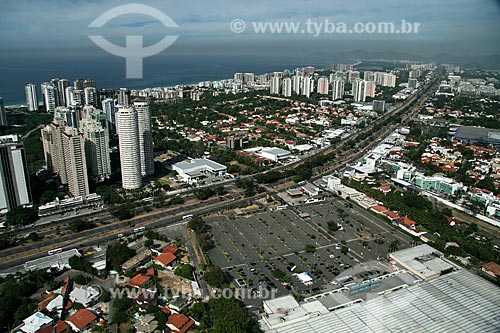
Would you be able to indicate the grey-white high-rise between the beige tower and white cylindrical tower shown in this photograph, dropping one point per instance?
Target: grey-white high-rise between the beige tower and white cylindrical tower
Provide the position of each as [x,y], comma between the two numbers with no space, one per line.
[96,148]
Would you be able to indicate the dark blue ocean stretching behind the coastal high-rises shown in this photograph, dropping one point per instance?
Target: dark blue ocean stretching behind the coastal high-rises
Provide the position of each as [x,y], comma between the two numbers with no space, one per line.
[109,71]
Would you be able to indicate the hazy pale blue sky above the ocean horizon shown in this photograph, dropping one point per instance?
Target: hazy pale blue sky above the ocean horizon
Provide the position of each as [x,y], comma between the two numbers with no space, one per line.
[459,27]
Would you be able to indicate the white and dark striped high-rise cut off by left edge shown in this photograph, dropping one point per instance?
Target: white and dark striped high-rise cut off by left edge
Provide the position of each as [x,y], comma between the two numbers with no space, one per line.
[14,178]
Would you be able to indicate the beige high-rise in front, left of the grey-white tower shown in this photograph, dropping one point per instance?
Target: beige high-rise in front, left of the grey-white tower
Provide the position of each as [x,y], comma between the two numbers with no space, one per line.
[75,162]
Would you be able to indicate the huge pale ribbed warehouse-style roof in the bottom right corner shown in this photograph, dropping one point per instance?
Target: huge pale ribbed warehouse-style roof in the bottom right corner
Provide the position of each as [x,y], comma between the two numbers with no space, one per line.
[457,302]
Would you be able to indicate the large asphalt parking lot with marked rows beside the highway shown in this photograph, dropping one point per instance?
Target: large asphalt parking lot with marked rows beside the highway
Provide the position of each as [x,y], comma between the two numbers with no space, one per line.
[269,249]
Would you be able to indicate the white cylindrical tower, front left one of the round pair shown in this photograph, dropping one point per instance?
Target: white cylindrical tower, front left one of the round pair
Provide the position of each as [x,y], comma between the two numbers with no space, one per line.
[128,145]
